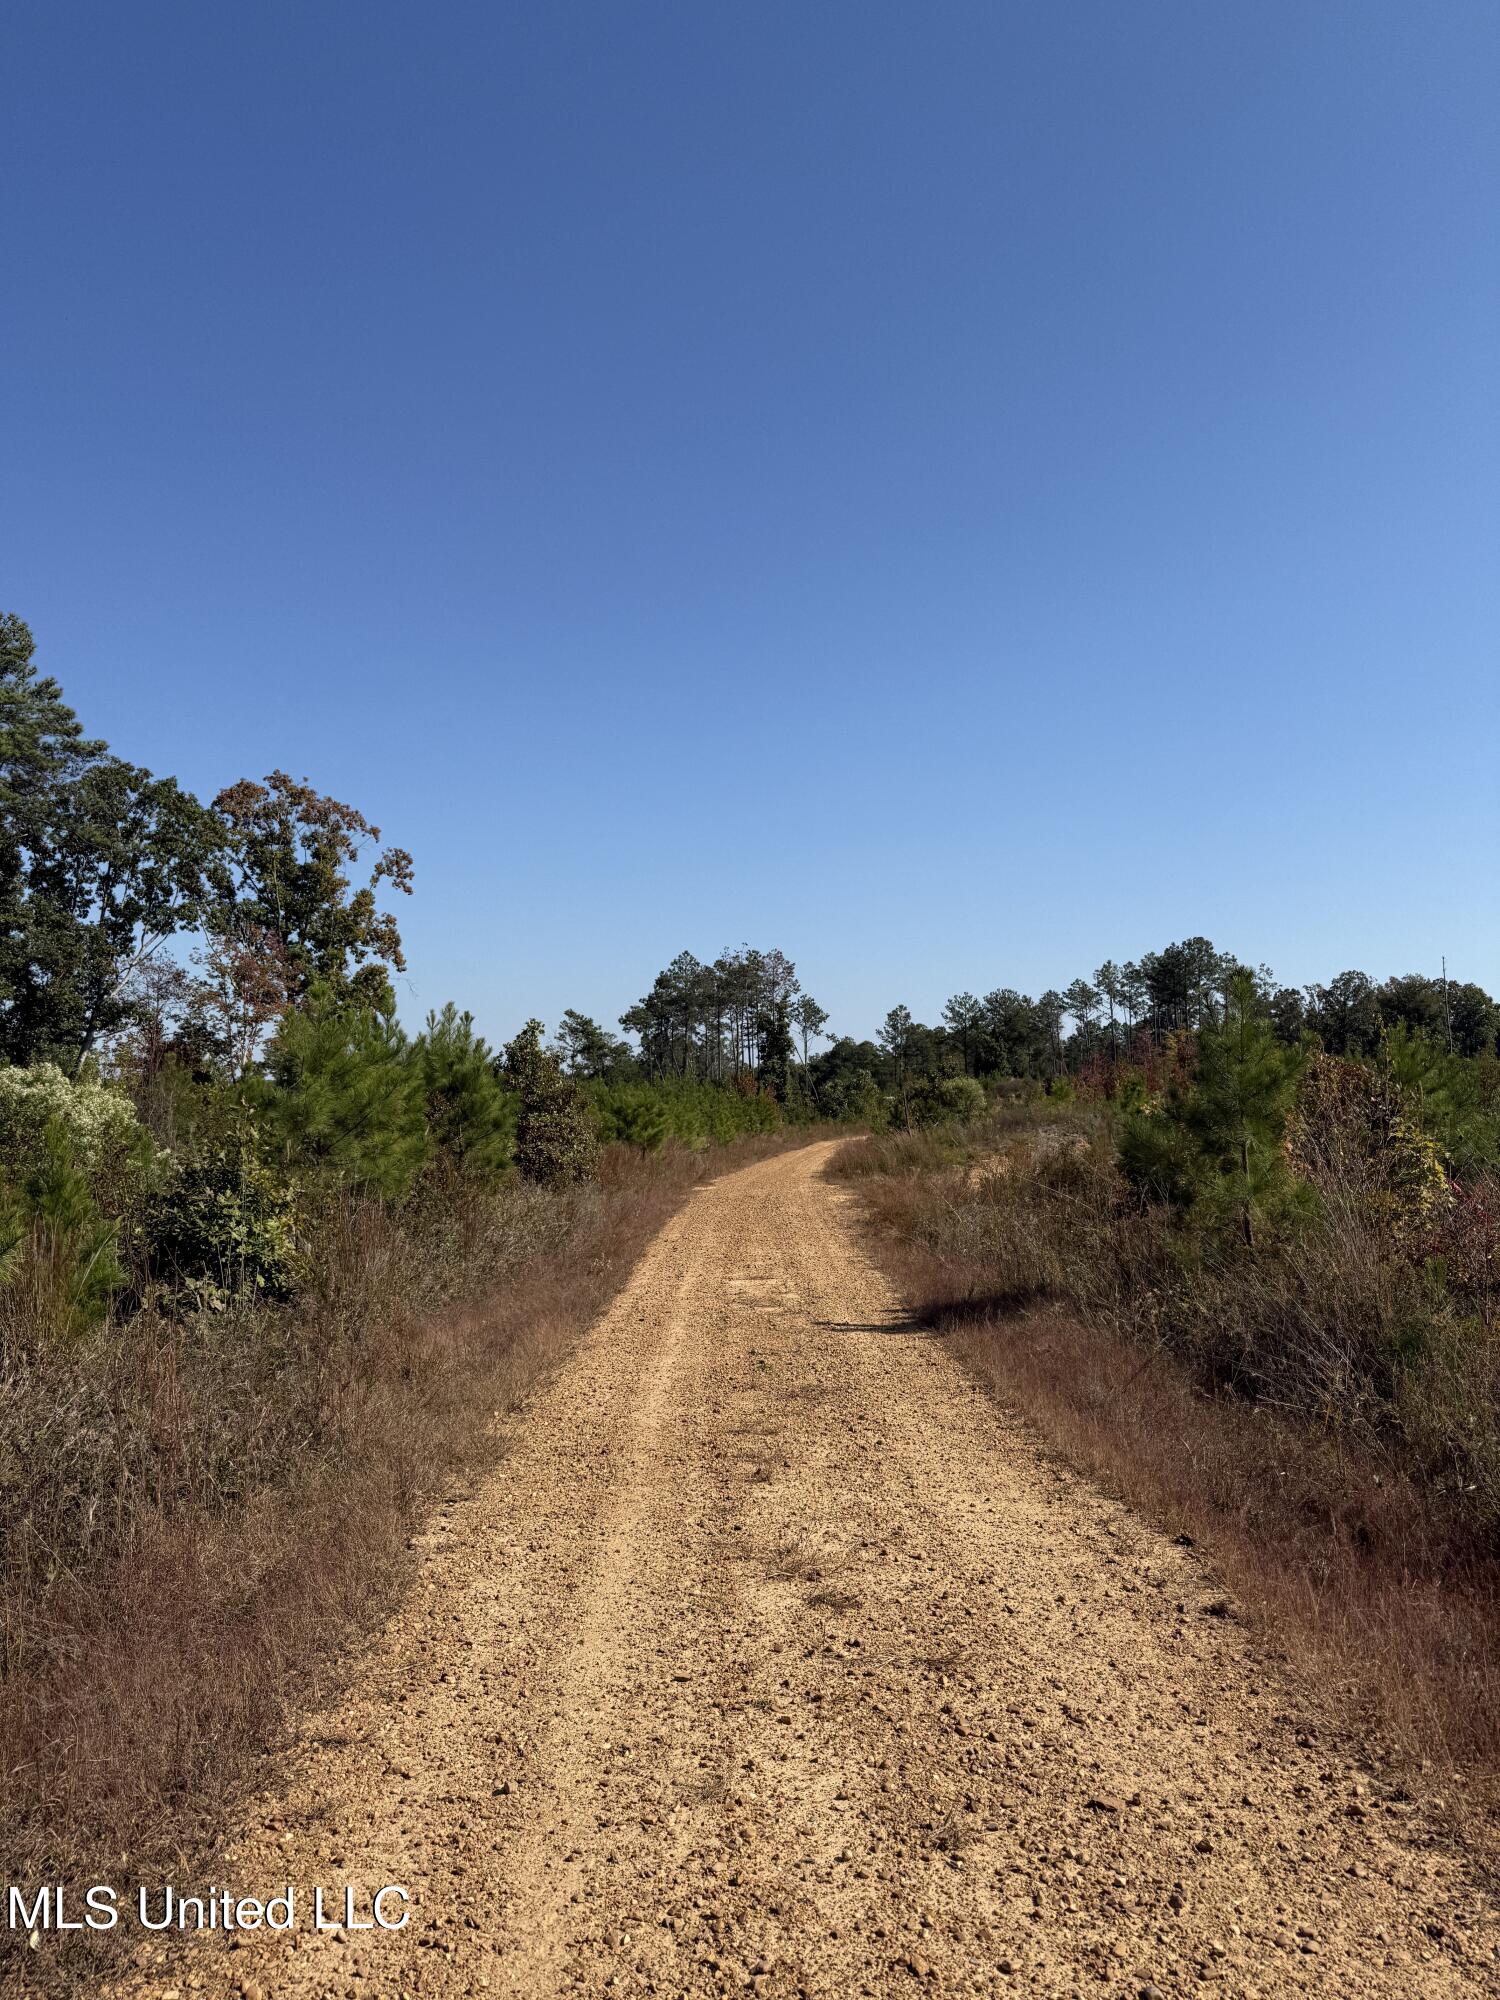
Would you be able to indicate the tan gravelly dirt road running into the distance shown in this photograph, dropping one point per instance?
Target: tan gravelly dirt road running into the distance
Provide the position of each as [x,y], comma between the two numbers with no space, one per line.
[777,1661]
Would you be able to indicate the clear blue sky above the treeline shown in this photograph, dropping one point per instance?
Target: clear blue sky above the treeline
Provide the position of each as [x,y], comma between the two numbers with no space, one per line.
[953,491]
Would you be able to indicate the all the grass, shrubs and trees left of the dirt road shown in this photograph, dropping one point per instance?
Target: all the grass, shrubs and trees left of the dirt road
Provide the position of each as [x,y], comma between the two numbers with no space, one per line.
[271,1265]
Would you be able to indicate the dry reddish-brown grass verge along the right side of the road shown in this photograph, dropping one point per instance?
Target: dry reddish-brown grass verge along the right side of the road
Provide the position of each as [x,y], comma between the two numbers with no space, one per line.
[1349,1515]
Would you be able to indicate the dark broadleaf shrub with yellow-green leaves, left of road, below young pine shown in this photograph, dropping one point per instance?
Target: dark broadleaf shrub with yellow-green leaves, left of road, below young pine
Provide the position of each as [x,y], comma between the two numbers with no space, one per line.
[225,1229]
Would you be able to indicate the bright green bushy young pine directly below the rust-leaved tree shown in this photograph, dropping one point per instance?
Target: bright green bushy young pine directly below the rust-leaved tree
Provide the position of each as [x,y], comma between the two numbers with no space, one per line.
[343,1097]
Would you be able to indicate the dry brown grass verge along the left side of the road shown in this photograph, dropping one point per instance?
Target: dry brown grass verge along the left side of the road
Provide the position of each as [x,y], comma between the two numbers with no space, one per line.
[201,1523]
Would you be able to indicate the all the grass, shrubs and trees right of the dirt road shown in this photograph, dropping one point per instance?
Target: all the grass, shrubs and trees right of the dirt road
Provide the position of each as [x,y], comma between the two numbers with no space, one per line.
[1241,1259]
